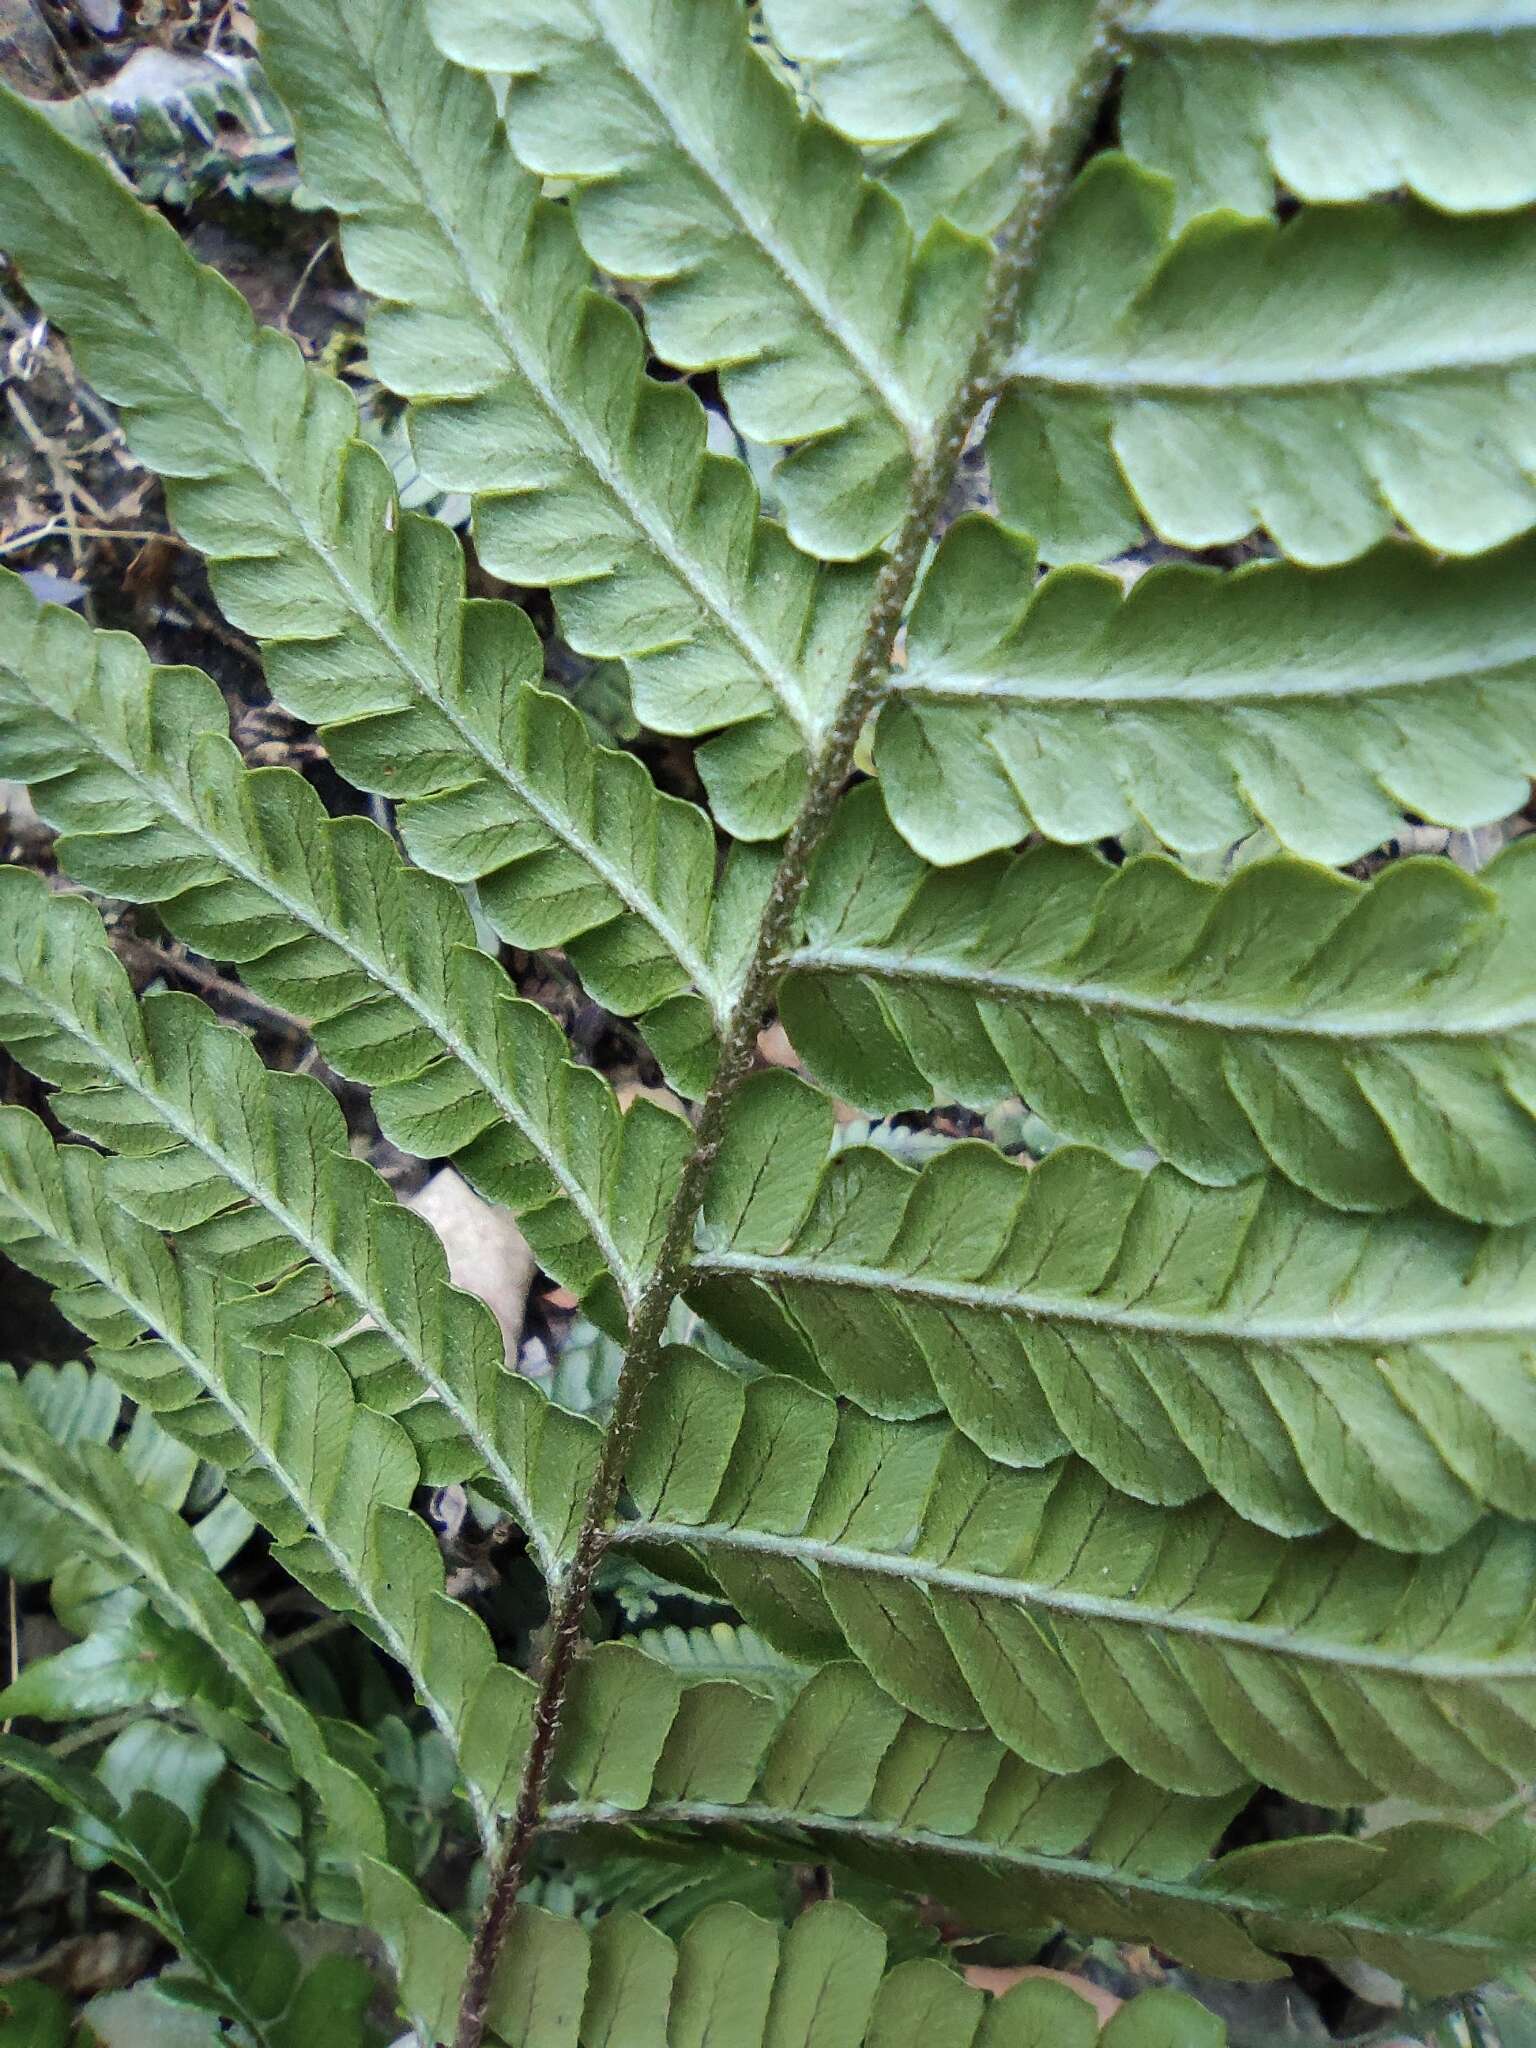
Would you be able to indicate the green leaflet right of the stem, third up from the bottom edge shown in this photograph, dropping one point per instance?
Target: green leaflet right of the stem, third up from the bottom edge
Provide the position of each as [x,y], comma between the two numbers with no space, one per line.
[1078,1625]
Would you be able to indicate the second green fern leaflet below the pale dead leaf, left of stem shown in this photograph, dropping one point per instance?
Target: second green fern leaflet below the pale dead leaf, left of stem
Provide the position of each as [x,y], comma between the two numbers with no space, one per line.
[329,1478]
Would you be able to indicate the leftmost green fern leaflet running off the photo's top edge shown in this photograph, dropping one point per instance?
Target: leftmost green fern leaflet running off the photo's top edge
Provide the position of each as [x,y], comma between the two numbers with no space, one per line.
[587,474]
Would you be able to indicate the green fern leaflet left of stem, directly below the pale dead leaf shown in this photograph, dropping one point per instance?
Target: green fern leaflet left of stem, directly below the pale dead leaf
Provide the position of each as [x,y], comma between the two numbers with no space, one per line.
[255,1177]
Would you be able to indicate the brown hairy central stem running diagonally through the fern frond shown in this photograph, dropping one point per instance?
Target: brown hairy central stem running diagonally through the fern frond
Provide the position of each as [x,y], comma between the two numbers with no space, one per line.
[1013,265]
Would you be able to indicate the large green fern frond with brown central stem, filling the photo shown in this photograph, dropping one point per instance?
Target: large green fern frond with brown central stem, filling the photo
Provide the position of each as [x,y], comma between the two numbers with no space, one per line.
[1066,472]
